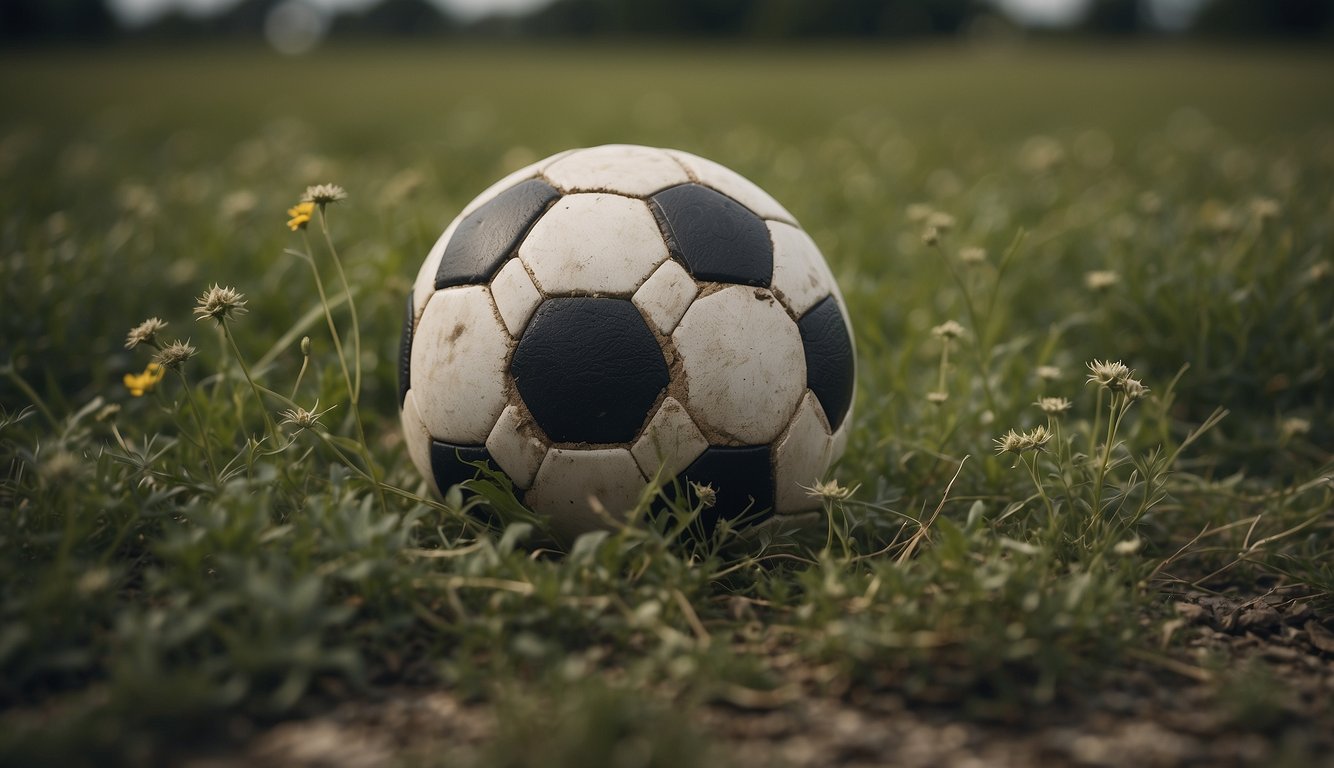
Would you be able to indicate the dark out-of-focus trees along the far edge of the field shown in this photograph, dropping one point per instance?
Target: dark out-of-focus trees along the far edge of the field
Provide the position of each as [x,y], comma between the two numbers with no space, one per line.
[81,21]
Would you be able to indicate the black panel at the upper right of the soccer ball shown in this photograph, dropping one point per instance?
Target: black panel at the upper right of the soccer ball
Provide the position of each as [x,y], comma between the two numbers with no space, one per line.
[716,237]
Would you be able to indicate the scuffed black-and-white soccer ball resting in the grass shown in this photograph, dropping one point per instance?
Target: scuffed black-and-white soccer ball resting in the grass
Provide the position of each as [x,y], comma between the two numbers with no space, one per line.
[617,317]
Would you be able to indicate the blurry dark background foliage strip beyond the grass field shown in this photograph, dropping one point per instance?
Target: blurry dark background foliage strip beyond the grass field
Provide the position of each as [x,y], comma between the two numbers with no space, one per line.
[29,22]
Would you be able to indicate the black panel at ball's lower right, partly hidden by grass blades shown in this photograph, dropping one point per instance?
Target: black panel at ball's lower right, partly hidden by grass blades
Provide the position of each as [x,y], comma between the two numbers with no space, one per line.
[744,479]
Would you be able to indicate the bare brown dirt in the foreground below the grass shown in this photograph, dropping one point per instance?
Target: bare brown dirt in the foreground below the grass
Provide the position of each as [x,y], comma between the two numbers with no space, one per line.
[1244,682]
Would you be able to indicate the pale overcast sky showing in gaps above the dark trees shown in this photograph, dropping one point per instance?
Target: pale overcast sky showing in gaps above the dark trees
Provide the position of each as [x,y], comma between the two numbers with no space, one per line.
[1032,11]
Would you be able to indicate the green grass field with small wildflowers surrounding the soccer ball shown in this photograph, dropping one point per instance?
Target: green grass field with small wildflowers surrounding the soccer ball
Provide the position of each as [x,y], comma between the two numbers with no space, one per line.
[1155,586]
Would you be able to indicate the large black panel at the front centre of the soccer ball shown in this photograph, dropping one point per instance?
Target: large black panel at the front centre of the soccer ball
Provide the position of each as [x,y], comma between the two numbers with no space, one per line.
[590,370]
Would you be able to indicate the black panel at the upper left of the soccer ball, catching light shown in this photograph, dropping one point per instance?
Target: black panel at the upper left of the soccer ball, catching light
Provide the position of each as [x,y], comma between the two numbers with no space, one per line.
[486,238]
